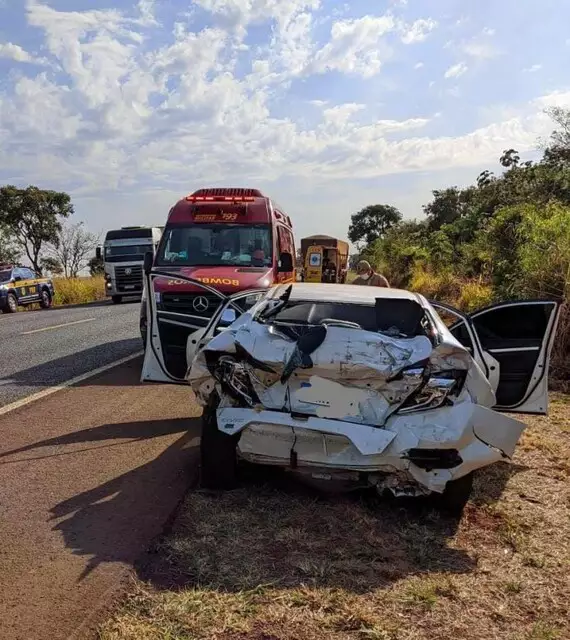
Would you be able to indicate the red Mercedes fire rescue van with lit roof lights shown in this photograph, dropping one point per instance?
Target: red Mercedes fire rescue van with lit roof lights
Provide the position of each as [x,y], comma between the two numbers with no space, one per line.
[226,240]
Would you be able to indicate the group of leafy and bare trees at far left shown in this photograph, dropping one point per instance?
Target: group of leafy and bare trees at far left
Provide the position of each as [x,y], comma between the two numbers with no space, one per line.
[34,225]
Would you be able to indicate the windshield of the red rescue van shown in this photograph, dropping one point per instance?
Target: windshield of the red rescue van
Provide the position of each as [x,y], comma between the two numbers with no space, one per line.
[217,245]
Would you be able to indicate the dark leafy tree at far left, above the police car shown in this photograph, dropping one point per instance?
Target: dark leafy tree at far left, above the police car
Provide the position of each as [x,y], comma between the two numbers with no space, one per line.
[32,217]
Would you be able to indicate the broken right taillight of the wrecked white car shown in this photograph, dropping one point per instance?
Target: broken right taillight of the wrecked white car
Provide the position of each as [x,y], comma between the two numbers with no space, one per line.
[435,389]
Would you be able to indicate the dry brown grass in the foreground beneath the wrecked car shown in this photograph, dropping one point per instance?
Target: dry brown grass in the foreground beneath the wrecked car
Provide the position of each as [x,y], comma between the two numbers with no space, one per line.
[279,562]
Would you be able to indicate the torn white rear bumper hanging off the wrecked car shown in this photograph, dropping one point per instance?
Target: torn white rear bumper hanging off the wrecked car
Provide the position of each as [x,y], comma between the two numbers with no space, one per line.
[427,449]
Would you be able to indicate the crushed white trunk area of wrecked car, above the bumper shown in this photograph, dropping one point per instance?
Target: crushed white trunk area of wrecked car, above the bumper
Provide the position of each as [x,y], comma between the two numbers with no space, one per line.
[352,375]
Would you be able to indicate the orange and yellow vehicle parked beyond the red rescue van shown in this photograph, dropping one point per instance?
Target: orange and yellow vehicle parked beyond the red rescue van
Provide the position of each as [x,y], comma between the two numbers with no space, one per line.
[325,259]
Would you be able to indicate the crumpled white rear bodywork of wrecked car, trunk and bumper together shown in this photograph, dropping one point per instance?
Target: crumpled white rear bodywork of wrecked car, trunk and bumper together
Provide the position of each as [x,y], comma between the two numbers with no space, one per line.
[352,399]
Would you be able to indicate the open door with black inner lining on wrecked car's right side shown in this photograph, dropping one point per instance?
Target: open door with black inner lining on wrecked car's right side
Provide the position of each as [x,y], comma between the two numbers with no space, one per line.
[512,343]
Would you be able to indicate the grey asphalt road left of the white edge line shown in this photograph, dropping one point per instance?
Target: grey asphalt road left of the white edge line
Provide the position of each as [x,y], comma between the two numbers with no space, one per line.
[41,349]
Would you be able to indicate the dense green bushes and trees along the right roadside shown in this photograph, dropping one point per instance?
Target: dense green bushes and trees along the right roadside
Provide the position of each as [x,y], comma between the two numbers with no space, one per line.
[505,237]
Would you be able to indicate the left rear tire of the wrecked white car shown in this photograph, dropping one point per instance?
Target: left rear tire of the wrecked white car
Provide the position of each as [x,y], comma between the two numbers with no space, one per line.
[218,459]
